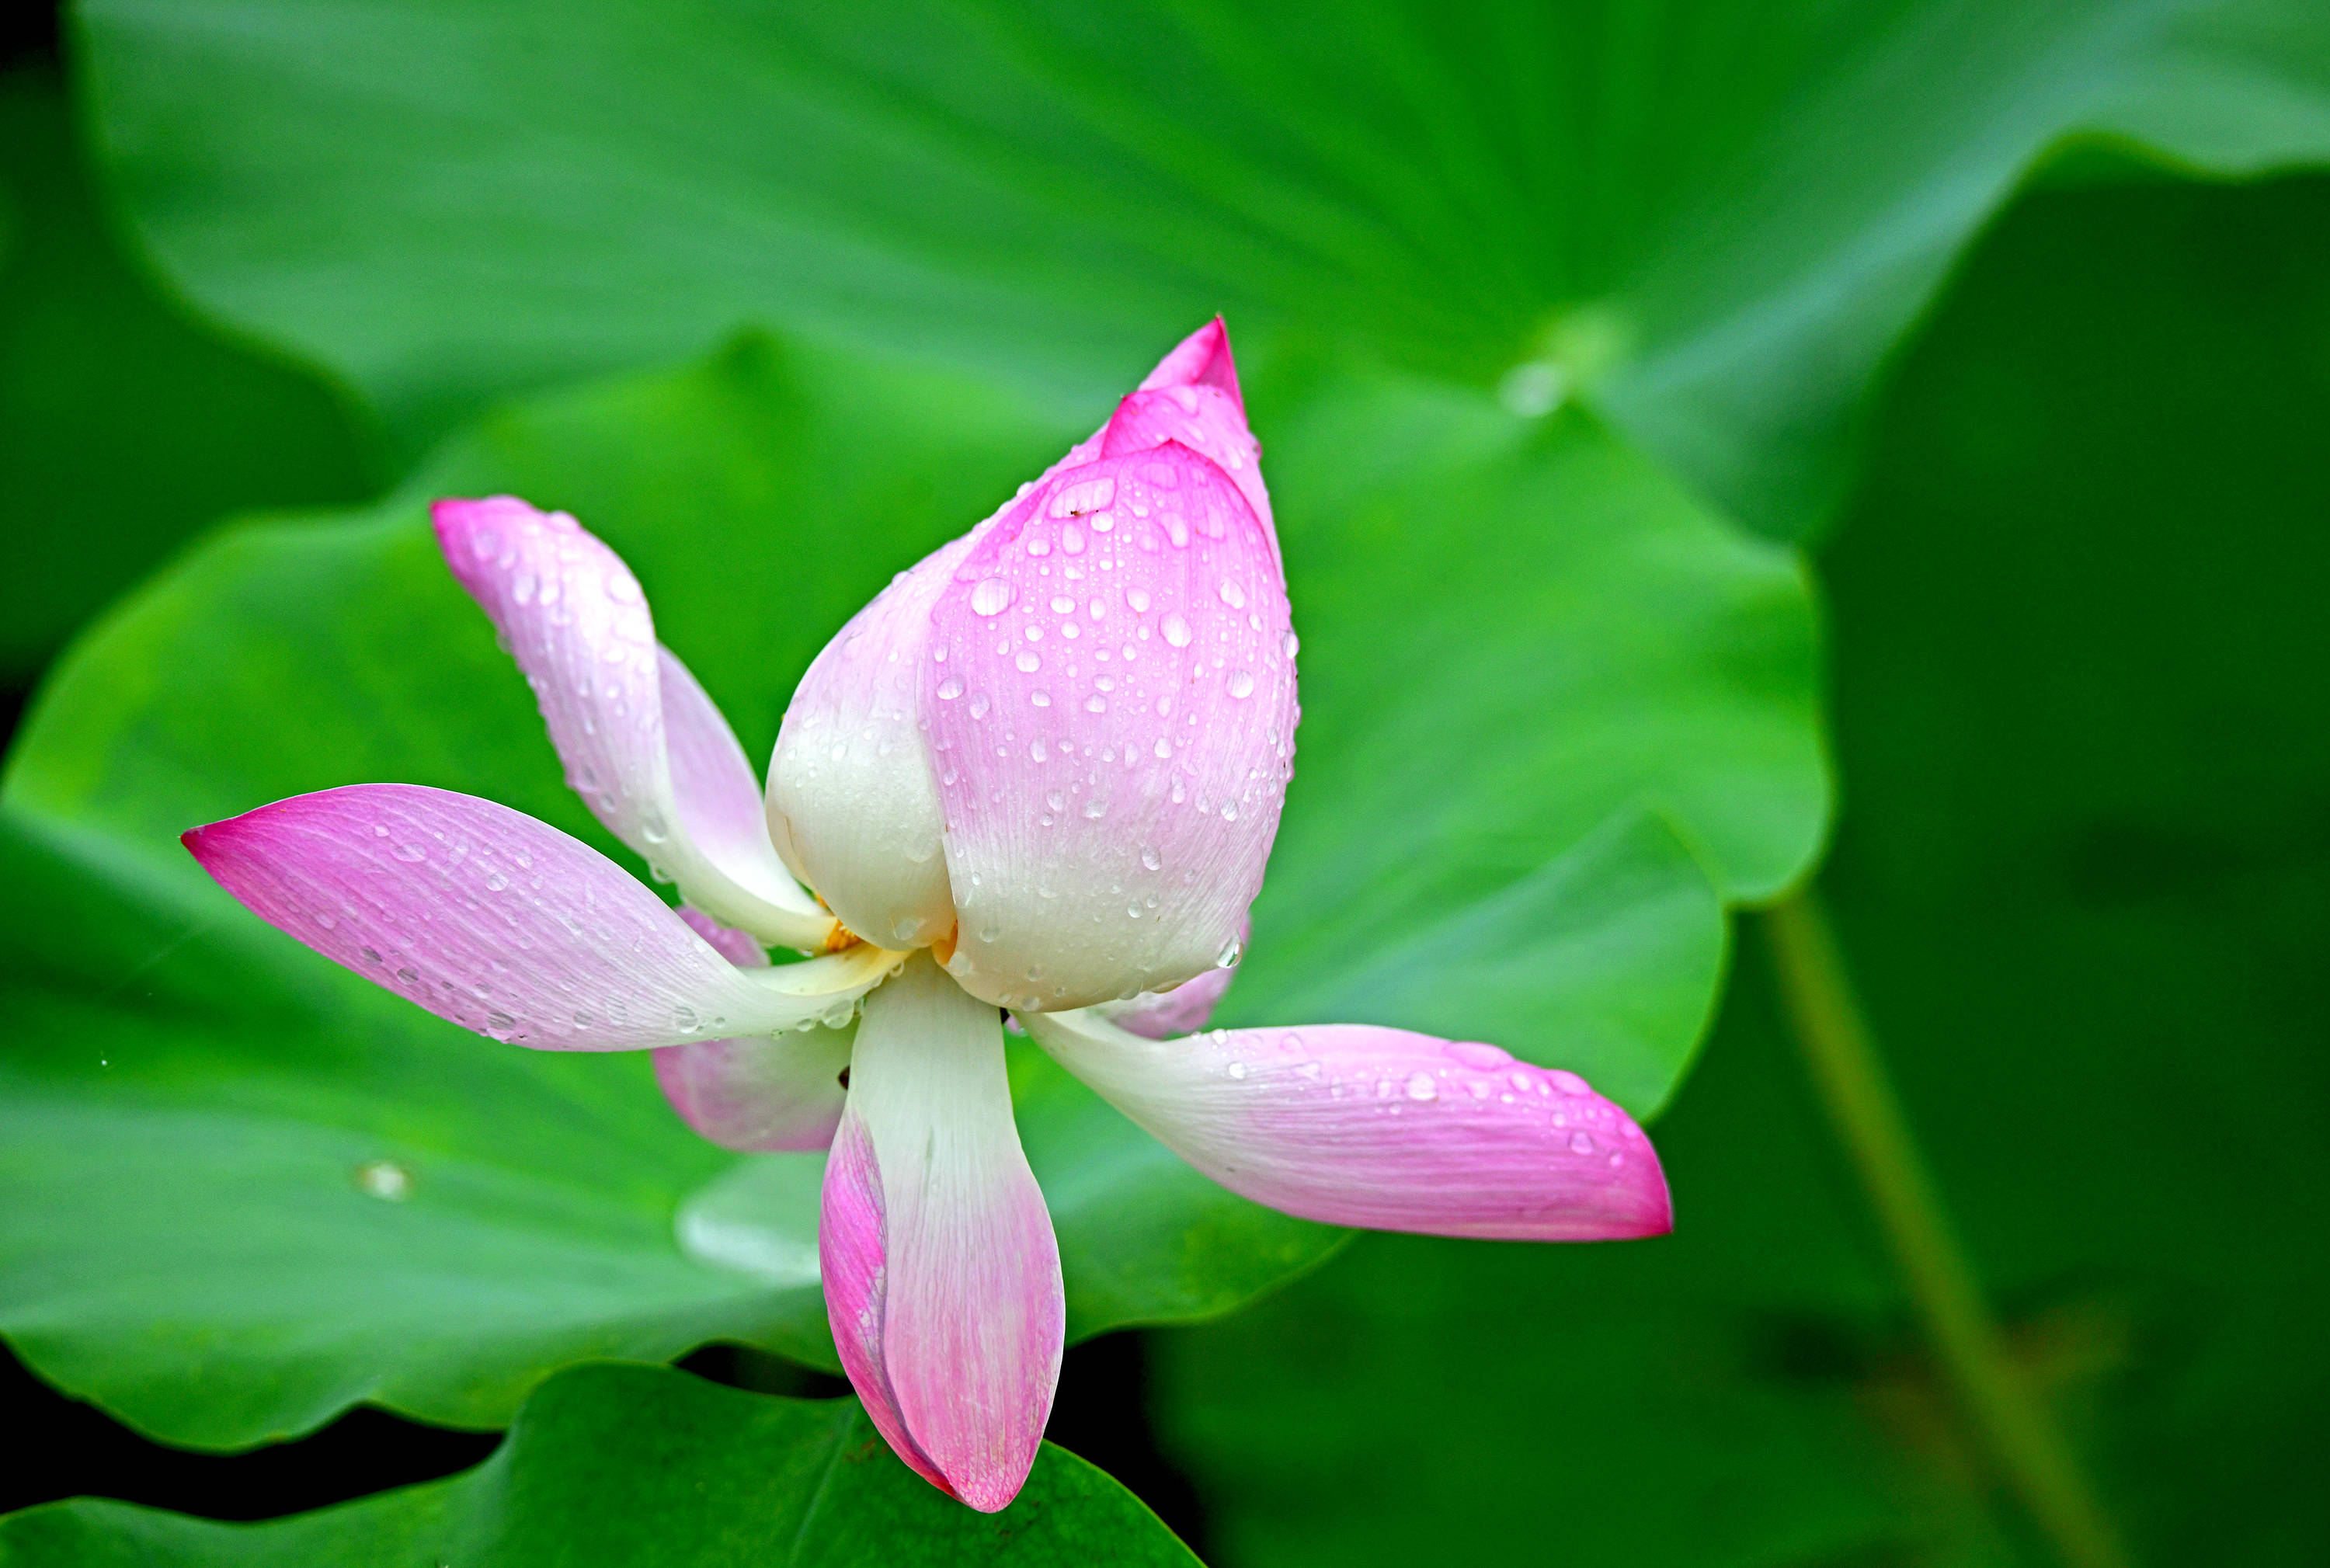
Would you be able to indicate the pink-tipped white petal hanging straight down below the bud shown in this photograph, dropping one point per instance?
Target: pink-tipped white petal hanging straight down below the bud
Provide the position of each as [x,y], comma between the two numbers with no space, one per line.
[942,1278]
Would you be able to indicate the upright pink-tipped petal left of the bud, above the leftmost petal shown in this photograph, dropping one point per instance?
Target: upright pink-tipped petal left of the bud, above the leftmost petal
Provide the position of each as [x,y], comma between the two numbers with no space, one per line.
[642,742]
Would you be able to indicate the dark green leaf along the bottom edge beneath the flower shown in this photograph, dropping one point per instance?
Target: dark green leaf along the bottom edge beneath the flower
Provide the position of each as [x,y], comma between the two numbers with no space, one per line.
[623,1464]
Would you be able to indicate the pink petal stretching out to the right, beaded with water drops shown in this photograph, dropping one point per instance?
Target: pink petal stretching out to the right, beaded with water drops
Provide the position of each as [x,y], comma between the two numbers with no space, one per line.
[1383,1129]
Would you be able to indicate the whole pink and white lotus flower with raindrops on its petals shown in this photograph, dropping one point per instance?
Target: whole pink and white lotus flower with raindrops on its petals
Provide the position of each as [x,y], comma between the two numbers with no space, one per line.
[1040,772]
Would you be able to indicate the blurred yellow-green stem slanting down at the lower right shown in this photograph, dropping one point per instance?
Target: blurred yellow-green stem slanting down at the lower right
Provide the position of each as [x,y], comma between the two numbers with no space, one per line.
[1861,1101]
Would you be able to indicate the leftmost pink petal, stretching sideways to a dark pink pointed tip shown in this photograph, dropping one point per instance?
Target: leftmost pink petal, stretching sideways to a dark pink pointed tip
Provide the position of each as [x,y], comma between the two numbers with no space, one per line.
[504,924]
